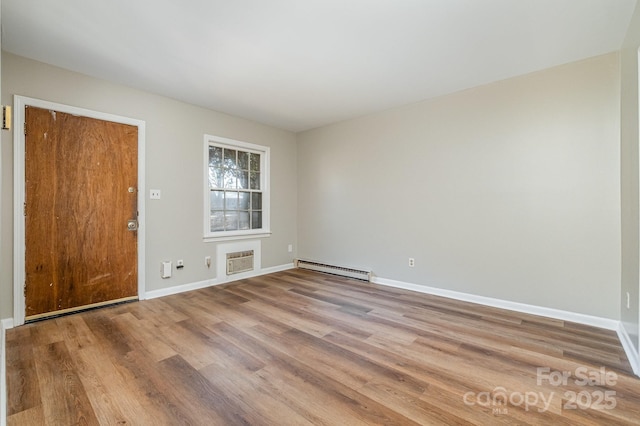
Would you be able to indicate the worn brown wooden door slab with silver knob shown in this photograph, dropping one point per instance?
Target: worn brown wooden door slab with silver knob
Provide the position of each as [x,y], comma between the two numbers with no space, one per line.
[80,193]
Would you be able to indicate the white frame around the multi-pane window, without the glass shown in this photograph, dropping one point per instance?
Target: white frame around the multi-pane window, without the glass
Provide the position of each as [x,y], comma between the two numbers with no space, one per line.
[265,171]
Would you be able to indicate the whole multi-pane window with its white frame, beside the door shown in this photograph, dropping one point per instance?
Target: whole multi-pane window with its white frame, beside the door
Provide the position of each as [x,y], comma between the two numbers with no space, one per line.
[236,189]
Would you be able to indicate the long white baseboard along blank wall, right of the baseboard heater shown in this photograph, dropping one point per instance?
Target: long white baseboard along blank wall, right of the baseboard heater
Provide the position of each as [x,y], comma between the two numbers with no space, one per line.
[599,322]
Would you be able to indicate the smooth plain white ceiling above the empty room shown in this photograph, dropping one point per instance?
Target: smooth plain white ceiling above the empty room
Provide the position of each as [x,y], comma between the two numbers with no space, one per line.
[301,64]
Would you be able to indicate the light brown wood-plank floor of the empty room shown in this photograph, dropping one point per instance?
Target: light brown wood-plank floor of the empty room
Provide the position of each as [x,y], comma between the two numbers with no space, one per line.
[302,348]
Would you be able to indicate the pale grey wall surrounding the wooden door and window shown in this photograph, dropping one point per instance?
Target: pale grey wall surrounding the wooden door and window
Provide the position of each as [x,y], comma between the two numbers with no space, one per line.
[174,149]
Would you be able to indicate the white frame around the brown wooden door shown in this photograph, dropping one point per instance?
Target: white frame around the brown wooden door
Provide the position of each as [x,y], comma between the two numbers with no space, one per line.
[19,246]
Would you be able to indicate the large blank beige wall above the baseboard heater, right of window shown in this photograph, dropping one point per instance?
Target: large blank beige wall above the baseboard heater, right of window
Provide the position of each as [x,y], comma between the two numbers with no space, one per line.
[510,190]
